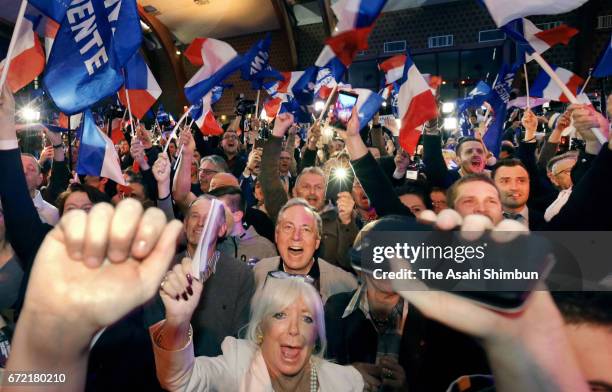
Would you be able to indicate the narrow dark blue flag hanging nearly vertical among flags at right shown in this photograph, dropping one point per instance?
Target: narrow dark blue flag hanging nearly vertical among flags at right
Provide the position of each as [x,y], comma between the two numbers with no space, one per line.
[498,99]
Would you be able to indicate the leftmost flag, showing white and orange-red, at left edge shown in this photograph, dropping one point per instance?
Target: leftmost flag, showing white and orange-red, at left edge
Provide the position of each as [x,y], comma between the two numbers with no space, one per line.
[28,58]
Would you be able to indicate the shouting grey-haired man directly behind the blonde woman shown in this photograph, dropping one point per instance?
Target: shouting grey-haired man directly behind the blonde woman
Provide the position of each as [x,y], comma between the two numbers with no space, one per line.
[297,237]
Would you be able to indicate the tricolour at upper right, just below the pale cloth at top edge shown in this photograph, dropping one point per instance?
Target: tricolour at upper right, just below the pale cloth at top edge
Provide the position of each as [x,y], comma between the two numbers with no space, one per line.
[531,39]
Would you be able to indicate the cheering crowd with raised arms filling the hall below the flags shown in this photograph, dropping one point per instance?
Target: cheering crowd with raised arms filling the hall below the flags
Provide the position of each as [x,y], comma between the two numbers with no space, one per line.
[113,303]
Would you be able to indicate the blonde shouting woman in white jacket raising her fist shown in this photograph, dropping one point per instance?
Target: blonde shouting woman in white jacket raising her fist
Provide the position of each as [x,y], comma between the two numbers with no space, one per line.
[282,350]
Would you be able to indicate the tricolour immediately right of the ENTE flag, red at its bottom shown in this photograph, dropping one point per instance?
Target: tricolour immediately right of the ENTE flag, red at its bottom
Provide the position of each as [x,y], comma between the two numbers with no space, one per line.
[141,85]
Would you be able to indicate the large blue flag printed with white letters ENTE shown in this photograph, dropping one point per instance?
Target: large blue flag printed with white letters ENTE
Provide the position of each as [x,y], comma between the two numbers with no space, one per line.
[95,39]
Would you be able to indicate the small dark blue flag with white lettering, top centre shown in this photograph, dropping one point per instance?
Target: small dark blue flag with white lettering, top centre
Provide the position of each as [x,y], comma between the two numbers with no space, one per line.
[256,67]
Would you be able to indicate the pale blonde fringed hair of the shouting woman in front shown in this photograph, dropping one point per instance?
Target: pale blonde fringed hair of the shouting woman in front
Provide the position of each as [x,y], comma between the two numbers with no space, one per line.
[277,294]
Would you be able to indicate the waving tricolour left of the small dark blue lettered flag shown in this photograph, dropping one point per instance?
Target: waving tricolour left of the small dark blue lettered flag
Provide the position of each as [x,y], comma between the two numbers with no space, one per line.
[217,60]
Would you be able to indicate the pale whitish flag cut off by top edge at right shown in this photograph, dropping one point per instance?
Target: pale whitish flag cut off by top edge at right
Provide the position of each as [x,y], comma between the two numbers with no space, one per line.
[504,11]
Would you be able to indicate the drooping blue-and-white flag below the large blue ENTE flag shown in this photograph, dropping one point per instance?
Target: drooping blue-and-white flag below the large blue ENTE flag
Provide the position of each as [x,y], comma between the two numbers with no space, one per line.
[97,154]
